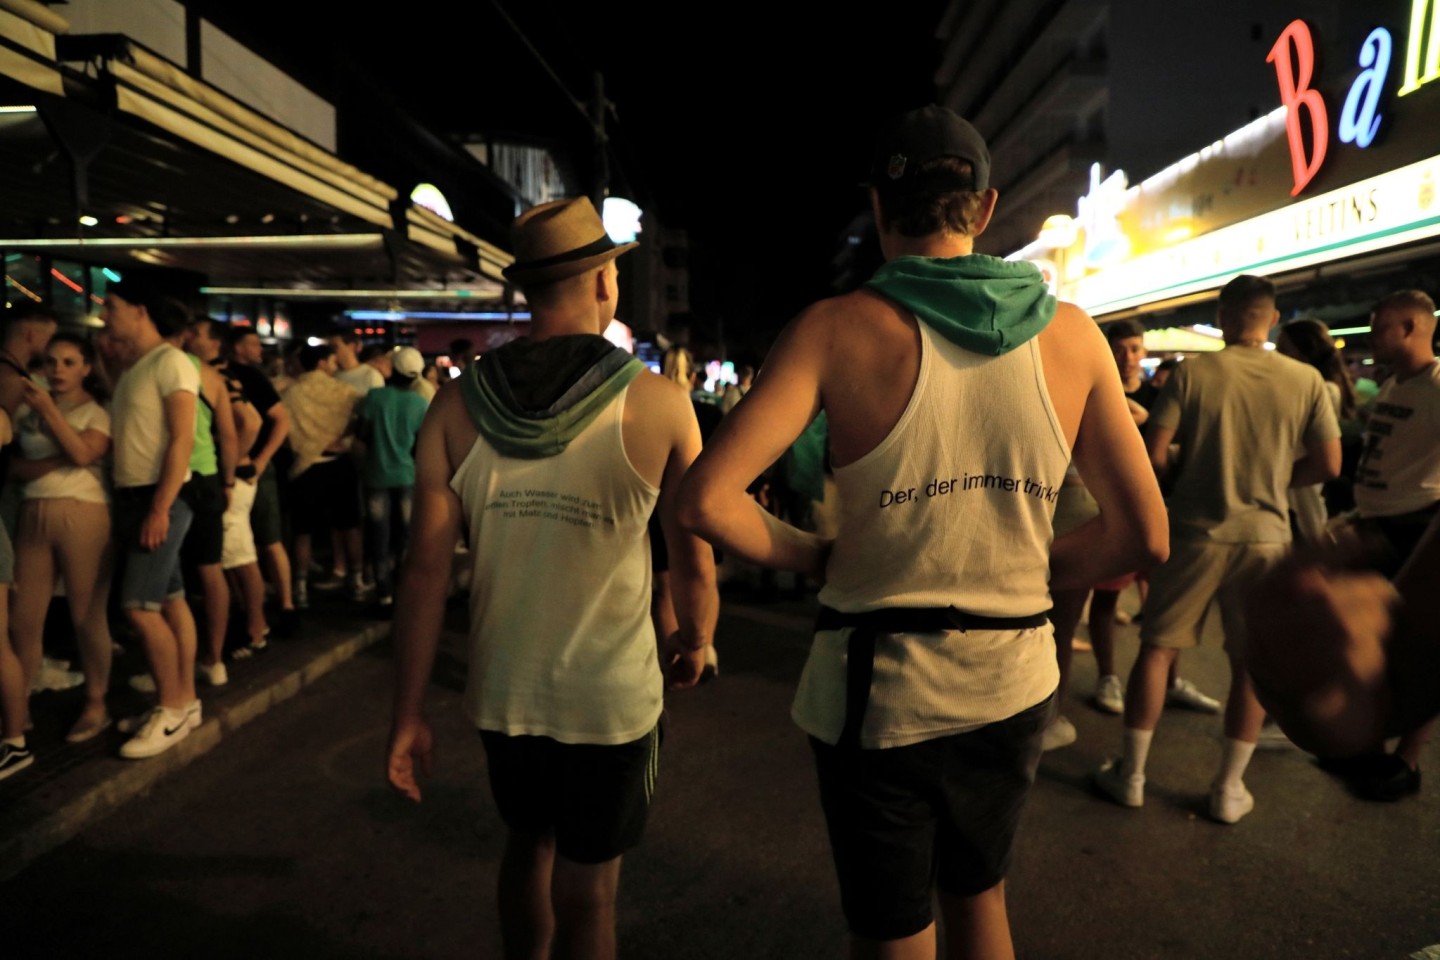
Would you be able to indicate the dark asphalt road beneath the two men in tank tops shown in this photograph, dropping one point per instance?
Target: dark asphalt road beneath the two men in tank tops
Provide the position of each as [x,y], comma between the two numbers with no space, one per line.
[286,843]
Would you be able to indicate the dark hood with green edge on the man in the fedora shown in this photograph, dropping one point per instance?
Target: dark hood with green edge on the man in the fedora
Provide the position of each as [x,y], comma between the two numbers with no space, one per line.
[531,399]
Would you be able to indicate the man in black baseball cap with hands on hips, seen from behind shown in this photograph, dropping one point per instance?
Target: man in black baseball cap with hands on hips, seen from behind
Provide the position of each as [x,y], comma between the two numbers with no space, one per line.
[955,389]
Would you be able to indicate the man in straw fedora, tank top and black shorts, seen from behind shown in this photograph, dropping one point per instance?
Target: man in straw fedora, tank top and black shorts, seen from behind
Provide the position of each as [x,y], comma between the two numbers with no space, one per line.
[551,458]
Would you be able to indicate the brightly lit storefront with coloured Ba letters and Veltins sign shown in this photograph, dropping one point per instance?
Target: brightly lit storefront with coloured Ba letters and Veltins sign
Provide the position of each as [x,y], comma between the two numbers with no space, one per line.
[1334,195]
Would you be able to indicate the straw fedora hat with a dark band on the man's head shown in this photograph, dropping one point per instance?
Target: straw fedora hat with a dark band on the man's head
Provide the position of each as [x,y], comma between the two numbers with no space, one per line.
[559,240]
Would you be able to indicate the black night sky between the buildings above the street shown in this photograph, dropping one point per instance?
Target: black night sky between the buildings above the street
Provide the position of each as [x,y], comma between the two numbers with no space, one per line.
[747,124]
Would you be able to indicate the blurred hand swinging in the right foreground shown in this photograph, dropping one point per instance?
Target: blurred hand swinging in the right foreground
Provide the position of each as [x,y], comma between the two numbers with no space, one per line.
[1317,648]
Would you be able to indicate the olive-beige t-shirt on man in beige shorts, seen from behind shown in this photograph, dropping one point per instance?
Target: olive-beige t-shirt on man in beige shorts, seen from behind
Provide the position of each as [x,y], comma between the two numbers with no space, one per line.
[1242,417]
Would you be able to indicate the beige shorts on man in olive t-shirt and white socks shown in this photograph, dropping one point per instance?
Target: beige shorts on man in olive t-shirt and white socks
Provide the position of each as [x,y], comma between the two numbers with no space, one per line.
[1200,572]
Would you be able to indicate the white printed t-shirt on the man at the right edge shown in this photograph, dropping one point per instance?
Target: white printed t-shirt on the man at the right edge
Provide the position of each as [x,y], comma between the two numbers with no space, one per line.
[1400,470]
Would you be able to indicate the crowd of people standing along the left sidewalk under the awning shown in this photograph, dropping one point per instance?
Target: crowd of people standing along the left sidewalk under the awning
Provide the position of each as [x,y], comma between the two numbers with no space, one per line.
[171,490]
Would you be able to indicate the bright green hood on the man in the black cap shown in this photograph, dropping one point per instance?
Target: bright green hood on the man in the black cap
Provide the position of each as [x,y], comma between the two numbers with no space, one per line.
[980,303]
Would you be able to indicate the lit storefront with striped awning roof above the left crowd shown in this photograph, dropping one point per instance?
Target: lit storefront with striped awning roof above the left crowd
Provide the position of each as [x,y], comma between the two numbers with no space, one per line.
[120,160]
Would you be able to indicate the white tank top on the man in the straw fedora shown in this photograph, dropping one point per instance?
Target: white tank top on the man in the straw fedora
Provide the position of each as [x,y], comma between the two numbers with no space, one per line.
[562,644]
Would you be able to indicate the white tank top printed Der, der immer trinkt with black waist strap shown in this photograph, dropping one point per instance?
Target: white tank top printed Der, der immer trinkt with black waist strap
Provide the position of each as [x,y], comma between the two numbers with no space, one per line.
[953,509]
